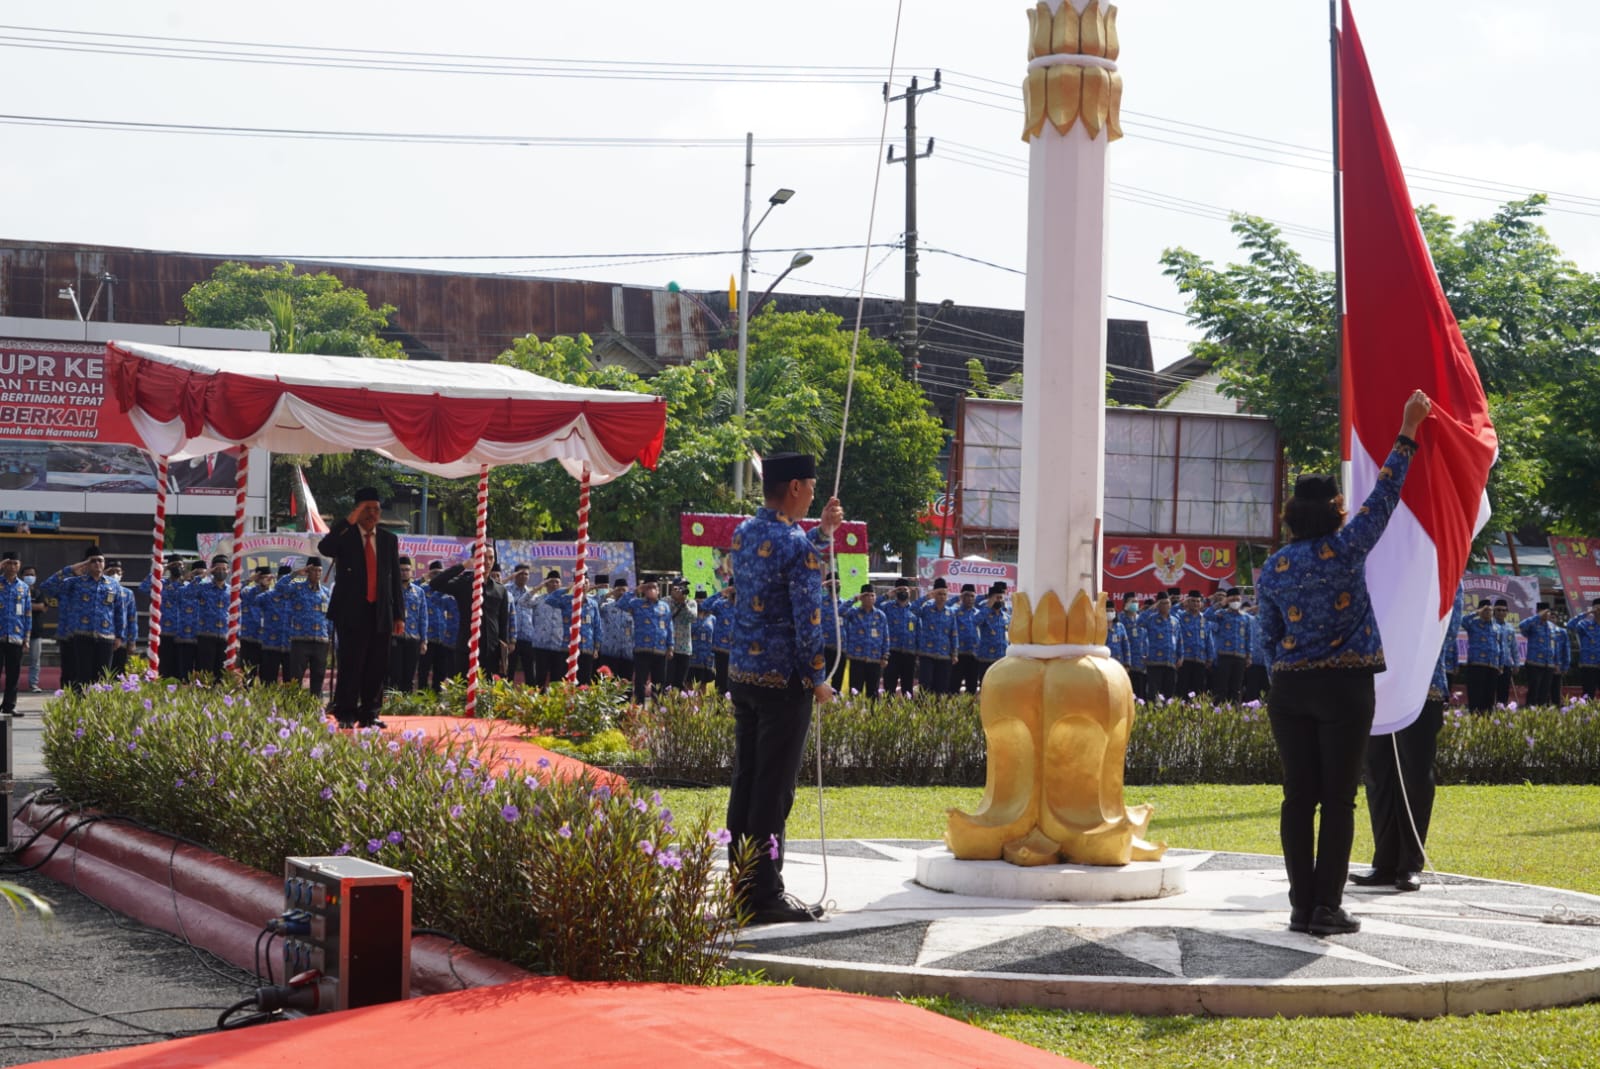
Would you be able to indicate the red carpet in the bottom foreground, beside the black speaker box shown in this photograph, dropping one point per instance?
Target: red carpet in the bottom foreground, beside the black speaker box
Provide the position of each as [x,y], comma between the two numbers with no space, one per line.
[556,1023]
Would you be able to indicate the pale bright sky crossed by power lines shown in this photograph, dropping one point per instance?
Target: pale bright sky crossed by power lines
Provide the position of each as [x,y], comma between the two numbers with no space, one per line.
[641,113]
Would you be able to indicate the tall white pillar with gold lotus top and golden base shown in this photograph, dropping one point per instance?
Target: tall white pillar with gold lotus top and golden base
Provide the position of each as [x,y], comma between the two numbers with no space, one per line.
[1058,711]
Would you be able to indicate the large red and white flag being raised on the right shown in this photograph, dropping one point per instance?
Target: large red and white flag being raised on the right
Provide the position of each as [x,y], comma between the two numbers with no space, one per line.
[1401,335]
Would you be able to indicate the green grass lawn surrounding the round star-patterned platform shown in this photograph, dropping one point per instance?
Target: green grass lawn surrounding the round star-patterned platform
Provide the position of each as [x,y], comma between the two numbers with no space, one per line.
[1513,833]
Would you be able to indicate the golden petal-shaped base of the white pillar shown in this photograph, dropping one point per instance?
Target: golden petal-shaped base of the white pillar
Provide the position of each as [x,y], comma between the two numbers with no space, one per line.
[1058,735]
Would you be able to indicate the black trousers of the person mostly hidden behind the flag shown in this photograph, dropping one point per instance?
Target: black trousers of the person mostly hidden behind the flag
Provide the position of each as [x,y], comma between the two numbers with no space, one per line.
[1394,761]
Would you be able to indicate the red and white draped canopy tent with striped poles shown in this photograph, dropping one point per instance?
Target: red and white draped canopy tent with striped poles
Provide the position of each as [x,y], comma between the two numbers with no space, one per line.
[446,418]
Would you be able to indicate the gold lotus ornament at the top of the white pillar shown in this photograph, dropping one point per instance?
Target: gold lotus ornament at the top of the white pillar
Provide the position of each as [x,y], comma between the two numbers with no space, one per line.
[1065,90]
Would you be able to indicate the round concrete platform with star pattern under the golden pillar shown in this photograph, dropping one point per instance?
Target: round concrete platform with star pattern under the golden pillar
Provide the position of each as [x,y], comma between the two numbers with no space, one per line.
[1223,947]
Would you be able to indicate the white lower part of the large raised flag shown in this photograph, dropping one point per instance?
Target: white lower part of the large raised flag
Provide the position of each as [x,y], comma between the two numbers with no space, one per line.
[1402,580]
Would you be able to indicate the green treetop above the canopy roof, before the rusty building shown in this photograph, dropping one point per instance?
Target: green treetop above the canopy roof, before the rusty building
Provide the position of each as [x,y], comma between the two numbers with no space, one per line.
[302,313]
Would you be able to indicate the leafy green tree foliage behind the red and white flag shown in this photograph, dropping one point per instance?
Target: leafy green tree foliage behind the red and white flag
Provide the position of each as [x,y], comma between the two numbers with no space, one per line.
[1530,318]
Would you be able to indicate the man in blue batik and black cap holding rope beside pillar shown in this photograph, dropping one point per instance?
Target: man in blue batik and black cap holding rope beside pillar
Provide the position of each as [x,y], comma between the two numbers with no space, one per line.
[777,673]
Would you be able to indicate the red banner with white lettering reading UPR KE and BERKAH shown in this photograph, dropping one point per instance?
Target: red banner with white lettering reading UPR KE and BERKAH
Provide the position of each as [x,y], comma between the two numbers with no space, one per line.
[58,393]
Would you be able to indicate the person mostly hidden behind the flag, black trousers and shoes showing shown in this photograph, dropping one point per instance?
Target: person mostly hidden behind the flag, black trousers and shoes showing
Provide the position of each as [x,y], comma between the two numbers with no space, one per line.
[1401,780]
